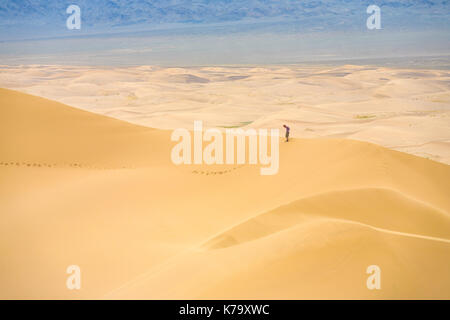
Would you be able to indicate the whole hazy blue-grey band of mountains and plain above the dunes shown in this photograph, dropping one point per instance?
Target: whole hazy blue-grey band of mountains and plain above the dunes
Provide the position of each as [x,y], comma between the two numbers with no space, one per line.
[186,33]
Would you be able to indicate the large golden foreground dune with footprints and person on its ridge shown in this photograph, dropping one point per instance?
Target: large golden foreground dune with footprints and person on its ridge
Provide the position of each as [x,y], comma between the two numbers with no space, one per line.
[81,188]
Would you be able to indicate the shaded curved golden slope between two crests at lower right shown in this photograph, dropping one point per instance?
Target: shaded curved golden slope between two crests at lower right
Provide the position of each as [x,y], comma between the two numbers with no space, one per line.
[377,207]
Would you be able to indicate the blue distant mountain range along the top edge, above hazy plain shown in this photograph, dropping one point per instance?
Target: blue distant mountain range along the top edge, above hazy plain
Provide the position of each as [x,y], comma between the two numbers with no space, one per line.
[41,18]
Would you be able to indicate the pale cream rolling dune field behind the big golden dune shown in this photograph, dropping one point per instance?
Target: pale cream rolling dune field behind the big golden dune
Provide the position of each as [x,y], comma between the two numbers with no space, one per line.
[402,109]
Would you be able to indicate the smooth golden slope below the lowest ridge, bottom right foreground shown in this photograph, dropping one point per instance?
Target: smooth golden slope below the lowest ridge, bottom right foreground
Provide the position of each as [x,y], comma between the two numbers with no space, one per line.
[319,259]
